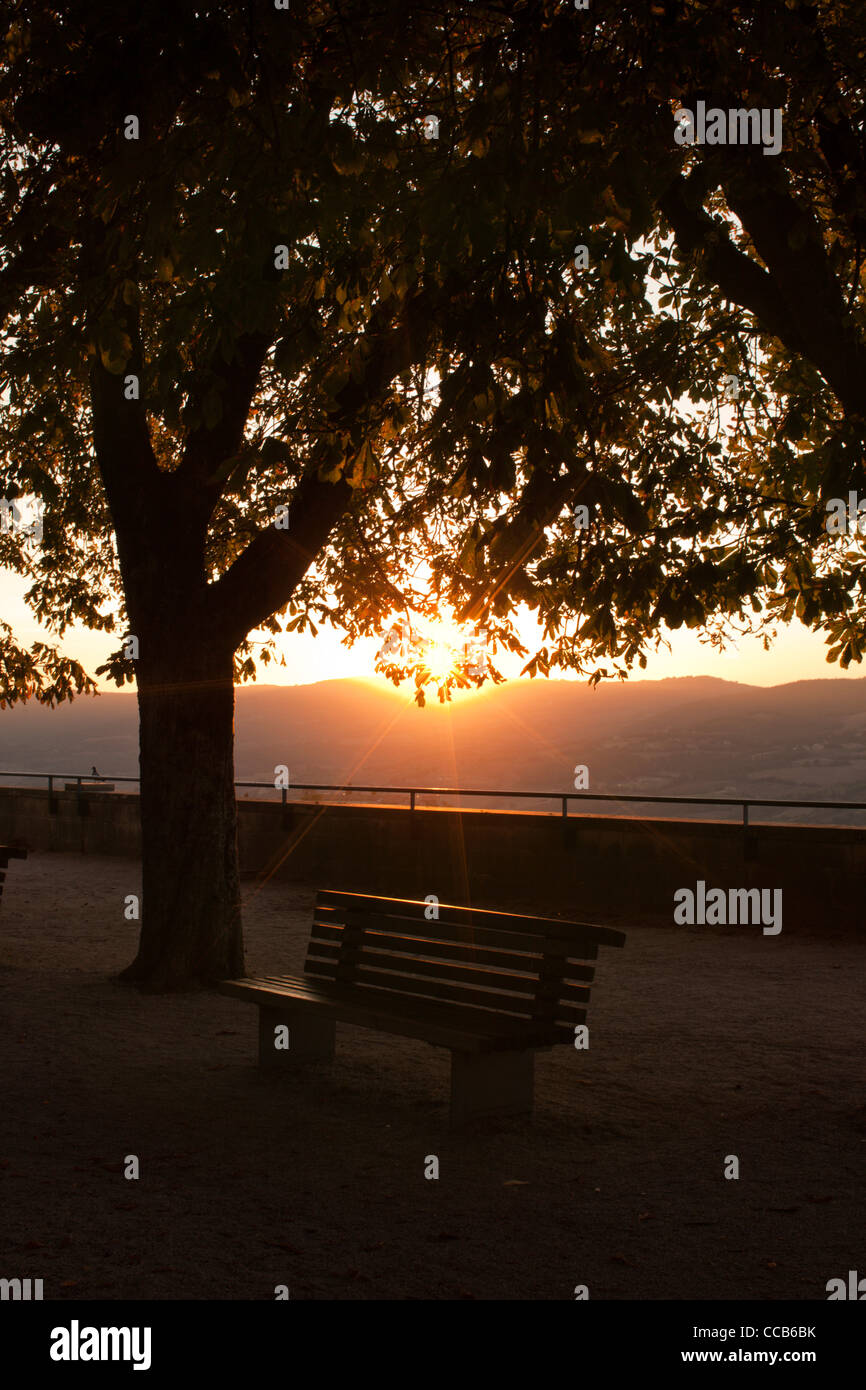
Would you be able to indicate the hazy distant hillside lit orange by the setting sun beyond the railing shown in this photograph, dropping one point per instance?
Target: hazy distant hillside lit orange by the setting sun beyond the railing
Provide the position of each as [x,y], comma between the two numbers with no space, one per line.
[676,737]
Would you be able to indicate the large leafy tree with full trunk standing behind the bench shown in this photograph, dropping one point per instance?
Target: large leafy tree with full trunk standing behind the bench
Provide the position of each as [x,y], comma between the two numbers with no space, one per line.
[398,273]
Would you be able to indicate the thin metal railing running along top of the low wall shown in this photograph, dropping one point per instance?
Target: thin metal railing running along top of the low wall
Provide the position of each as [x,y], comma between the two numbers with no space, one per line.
[414,793]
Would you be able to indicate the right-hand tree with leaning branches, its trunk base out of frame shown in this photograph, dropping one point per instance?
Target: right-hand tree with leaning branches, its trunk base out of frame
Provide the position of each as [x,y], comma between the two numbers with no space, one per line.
[764,258]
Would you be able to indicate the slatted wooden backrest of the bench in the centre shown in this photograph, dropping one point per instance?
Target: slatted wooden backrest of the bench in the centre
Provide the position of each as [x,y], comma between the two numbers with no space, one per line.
[528,968]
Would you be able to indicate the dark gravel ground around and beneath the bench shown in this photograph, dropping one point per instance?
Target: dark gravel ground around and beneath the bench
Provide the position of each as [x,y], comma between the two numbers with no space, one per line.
[705,1043]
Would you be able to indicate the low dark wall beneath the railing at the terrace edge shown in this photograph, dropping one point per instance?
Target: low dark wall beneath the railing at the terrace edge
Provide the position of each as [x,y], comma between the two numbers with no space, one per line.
[603,868]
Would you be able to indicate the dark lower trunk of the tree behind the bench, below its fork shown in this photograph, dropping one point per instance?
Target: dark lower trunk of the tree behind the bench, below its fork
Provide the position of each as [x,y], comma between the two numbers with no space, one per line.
[191,888]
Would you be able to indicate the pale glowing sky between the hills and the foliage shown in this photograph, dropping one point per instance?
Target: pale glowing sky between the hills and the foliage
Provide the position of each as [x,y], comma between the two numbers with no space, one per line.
[797,654]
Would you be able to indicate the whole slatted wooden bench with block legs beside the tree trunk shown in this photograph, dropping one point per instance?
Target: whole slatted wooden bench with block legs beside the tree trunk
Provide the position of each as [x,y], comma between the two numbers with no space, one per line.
[490,986]
